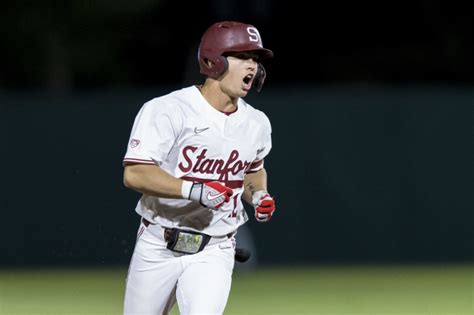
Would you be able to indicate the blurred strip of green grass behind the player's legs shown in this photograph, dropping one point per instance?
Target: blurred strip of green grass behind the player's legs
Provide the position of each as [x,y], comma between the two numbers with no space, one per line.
[431,289]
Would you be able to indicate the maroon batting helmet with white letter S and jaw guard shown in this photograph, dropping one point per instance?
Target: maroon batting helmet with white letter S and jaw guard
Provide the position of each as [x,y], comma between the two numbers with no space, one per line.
[229,36]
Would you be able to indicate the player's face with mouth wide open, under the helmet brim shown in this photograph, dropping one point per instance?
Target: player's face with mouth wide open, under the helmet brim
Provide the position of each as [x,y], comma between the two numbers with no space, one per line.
[238,80]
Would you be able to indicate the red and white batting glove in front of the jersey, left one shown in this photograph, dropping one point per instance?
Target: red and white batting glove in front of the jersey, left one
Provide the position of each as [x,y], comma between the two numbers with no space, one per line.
[211,195]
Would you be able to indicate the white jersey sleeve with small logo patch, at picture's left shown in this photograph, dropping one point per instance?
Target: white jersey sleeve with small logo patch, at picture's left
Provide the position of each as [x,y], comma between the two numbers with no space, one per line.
[153,134]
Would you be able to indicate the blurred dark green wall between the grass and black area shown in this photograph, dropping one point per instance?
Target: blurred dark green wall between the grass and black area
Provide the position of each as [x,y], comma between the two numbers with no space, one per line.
[360,174]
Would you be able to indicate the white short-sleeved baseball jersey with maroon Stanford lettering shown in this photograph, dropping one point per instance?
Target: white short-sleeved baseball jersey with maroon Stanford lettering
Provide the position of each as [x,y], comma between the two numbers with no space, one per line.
[188,138]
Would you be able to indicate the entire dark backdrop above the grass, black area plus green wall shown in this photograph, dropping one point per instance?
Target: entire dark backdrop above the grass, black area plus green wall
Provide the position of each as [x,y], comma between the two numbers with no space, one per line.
[372,108]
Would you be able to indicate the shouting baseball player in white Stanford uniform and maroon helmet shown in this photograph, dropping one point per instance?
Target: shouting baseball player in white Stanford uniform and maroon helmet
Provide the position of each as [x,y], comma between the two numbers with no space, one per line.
[195,154]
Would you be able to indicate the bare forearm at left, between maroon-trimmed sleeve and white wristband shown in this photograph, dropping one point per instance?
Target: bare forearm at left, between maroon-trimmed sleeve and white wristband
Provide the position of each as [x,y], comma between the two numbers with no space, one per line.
[151,180]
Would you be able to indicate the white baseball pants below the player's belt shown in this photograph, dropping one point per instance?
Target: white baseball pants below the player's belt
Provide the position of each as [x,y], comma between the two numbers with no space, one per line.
[158,277]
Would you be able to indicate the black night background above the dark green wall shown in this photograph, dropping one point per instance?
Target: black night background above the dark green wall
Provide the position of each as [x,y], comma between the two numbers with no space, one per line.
[104,44]
